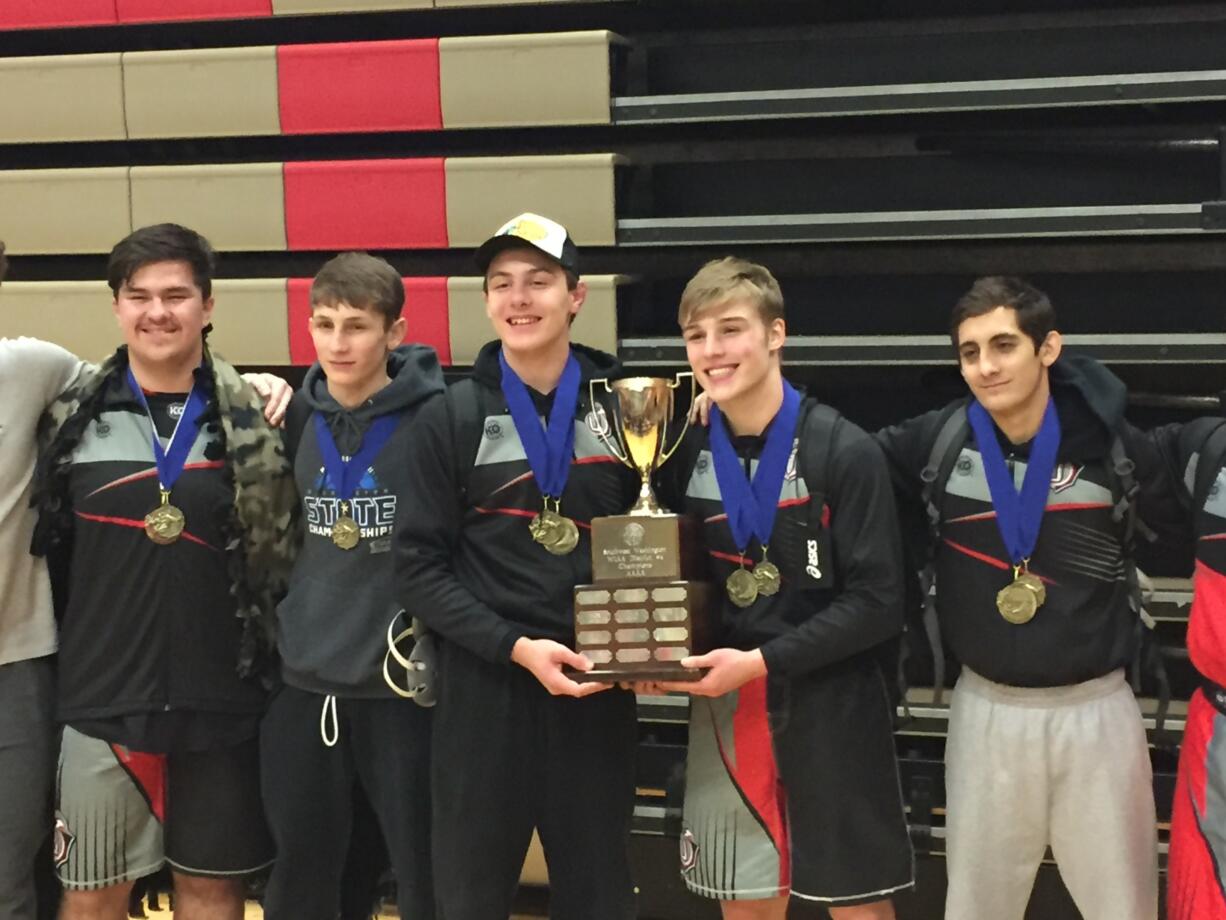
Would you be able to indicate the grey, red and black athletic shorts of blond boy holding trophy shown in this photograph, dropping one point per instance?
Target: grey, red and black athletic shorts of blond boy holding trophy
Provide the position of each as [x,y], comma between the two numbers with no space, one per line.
[793,788]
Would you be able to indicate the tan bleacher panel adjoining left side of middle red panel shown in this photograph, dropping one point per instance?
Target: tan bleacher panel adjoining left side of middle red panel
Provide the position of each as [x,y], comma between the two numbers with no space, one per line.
[240,207]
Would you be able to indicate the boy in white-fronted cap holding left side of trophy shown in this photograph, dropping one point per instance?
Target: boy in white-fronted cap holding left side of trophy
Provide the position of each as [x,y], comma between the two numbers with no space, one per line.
[511,473]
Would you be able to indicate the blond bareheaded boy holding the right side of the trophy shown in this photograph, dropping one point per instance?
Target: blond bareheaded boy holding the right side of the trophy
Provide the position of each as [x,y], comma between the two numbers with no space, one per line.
[791,786]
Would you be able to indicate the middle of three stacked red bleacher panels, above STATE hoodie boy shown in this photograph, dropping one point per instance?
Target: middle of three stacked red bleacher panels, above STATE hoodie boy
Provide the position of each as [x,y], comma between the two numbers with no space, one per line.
[367,204]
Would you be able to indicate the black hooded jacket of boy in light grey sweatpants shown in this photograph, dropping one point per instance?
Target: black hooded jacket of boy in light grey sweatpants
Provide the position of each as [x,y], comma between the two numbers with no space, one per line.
[1087,626]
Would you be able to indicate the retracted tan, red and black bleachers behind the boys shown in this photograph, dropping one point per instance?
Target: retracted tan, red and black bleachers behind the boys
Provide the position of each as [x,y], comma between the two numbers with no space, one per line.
[877,158]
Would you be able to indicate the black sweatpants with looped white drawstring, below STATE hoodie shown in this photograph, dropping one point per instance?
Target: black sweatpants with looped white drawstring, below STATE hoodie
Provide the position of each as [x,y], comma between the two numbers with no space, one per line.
[310,799]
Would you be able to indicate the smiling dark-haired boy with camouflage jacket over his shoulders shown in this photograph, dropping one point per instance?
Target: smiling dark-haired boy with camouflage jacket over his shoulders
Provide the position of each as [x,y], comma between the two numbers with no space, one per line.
[172,499]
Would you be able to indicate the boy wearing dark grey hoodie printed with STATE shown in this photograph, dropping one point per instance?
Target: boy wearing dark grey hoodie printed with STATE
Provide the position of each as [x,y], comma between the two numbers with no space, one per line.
[335,723]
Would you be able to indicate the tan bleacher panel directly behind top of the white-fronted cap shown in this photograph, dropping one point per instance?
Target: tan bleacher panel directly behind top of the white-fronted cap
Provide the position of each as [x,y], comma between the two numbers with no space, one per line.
[577,191]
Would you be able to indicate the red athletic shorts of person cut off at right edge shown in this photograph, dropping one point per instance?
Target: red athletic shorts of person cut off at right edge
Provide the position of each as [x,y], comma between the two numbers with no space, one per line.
[1198,819]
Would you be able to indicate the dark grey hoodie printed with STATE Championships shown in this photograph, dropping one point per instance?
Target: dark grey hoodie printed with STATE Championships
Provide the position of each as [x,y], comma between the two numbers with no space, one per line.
[333,624]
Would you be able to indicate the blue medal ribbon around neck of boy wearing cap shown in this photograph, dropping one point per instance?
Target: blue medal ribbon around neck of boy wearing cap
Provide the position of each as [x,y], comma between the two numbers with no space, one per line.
[549,451]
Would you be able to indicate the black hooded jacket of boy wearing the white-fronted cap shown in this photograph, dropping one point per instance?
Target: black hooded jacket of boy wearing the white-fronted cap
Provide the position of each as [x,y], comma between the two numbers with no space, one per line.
[465,561]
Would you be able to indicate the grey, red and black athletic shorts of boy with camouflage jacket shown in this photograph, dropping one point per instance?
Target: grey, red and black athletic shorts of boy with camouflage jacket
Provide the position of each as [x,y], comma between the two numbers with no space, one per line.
[122,815]
